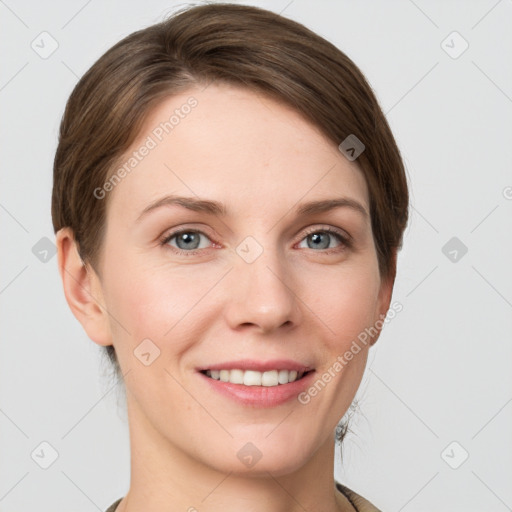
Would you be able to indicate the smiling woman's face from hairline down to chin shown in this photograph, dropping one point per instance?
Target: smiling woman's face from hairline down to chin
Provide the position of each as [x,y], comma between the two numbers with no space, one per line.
[266,285]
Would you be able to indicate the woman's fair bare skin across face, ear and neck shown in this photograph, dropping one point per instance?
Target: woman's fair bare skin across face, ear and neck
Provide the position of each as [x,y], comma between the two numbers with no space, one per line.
[295,301]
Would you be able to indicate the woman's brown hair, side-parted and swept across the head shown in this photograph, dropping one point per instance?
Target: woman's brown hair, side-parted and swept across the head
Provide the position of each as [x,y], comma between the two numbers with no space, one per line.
[235,44]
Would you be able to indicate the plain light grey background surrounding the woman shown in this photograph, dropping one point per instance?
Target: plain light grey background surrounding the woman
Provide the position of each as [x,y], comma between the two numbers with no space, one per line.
[441,371]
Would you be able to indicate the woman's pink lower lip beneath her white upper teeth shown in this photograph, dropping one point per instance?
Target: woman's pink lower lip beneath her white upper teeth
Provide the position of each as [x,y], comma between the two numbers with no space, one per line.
[260,396]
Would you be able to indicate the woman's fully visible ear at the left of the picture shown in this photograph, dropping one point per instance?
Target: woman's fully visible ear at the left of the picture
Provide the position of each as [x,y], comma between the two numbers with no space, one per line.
[82,288]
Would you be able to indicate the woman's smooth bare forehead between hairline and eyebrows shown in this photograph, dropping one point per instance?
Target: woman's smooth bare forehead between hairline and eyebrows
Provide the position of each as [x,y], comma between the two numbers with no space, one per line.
[234,145]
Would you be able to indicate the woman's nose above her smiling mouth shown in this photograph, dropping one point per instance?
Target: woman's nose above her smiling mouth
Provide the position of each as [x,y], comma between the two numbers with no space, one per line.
[261,295]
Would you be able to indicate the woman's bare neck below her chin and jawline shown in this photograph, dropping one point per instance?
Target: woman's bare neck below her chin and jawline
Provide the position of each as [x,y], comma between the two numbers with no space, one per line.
[163,477]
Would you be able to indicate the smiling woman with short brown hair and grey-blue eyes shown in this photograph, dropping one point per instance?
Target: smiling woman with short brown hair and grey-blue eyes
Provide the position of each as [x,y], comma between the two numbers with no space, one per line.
[228,202]
